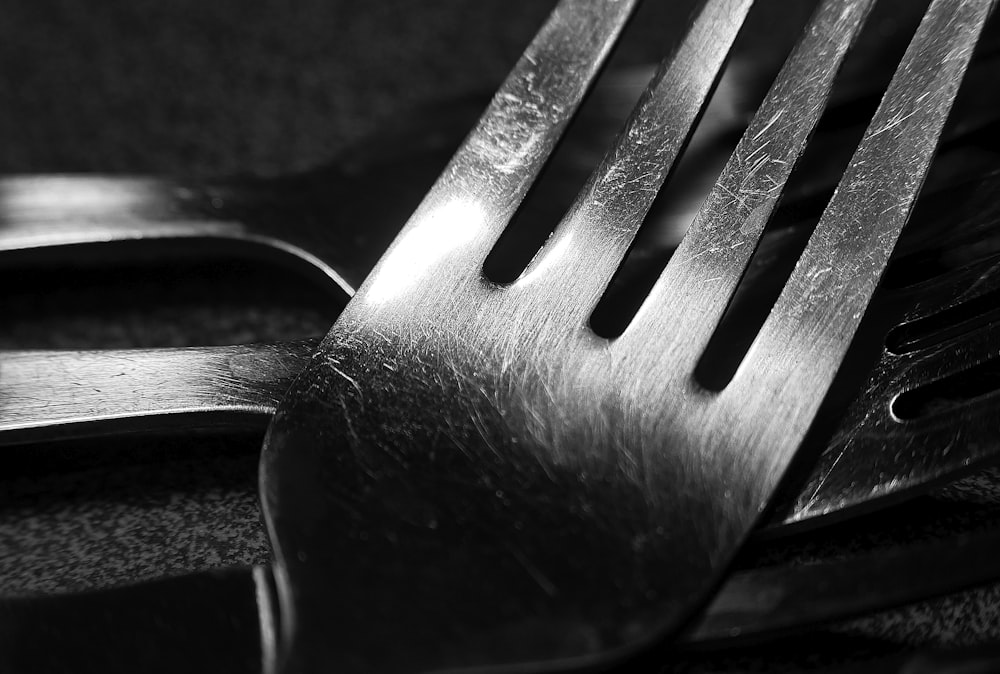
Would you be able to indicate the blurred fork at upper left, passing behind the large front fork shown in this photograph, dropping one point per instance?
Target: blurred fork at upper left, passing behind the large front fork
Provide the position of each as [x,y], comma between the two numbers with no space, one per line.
[334,222]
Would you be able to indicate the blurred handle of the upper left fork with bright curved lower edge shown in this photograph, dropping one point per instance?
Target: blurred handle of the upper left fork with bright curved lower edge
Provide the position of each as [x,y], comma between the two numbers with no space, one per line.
[45,217]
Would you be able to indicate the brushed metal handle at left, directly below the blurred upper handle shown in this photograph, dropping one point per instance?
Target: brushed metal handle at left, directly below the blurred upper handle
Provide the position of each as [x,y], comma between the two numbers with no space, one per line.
[46,395]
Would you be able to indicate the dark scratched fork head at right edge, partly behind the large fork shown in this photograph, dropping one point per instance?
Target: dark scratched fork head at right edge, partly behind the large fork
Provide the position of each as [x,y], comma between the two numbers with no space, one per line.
[931,396]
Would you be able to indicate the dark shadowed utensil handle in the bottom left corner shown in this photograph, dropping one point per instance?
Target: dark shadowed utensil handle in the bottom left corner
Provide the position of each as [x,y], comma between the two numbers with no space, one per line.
[218,621]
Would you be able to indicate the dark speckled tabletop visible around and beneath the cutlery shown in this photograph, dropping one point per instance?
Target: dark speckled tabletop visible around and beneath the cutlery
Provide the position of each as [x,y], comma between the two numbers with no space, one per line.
[208,88]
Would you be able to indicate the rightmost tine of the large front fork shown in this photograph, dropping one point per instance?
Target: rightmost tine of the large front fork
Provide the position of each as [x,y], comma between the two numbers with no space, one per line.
[803,340]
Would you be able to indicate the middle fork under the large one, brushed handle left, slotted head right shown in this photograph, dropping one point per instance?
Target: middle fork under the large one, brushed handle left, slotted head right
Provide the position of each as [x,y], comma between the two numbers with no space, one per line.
[60,394]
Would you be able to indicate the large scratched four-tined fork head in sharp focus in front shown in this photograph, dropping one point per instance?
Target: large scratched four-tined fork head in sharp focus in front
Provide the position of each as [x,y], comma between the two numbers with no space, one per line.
[466,476]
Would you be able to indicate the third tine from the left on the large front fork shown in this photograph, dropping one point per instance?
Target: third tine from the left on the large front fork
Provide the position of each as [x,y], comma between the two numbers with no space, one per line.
[698,283]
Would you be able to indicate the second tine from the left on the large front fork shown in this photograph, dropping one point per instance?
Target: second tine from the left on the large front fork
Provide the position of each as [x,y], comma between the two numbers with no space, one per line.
[586,249]
